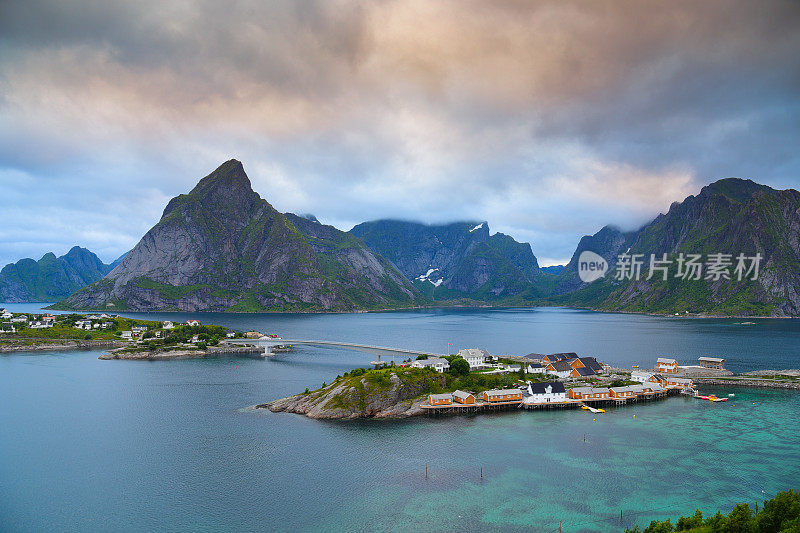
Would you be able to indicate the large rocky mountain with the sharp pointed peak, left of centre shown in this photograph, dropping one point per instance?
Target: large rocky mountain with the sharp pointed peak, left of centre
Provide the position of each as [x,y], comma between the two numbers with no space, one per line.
[221,247]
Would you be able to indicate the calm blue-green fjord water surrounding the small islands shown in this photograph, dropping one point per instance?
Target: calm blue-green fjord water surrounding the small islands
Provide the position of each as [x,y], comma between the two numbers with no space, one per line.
[131,445]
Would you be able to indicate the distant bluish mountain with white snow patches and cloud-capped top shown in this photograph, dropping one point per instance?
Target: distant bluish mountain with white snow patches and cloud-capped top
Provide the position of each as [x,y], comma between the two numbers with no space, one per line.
[458,260]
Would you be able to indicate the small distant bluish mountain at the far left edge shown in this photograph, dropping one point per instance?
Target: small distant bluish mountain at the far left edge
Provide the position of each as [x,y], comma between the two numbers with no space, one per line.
[50,278]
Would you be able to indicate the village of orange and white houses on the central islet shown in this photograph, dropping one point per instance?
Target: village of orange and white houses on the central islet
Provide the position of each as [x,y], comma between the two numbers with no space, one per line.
[565,380]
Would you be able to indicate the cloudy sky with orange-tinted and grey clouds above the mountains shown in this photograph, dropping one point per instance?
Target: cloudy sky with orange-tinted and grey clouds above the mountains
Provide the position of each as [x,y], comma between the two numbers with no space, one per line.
[547,119]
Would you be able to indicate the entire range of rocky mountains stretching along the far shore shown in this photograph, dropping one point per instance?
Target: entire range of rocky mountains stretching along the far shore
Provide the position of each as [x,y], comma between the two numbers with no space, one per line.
[221,247]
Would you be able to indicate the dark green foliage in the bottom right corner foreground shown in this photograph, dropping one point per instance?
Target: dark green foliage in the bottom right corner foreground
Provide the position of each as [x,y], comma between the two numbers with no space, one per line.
[780,514]
